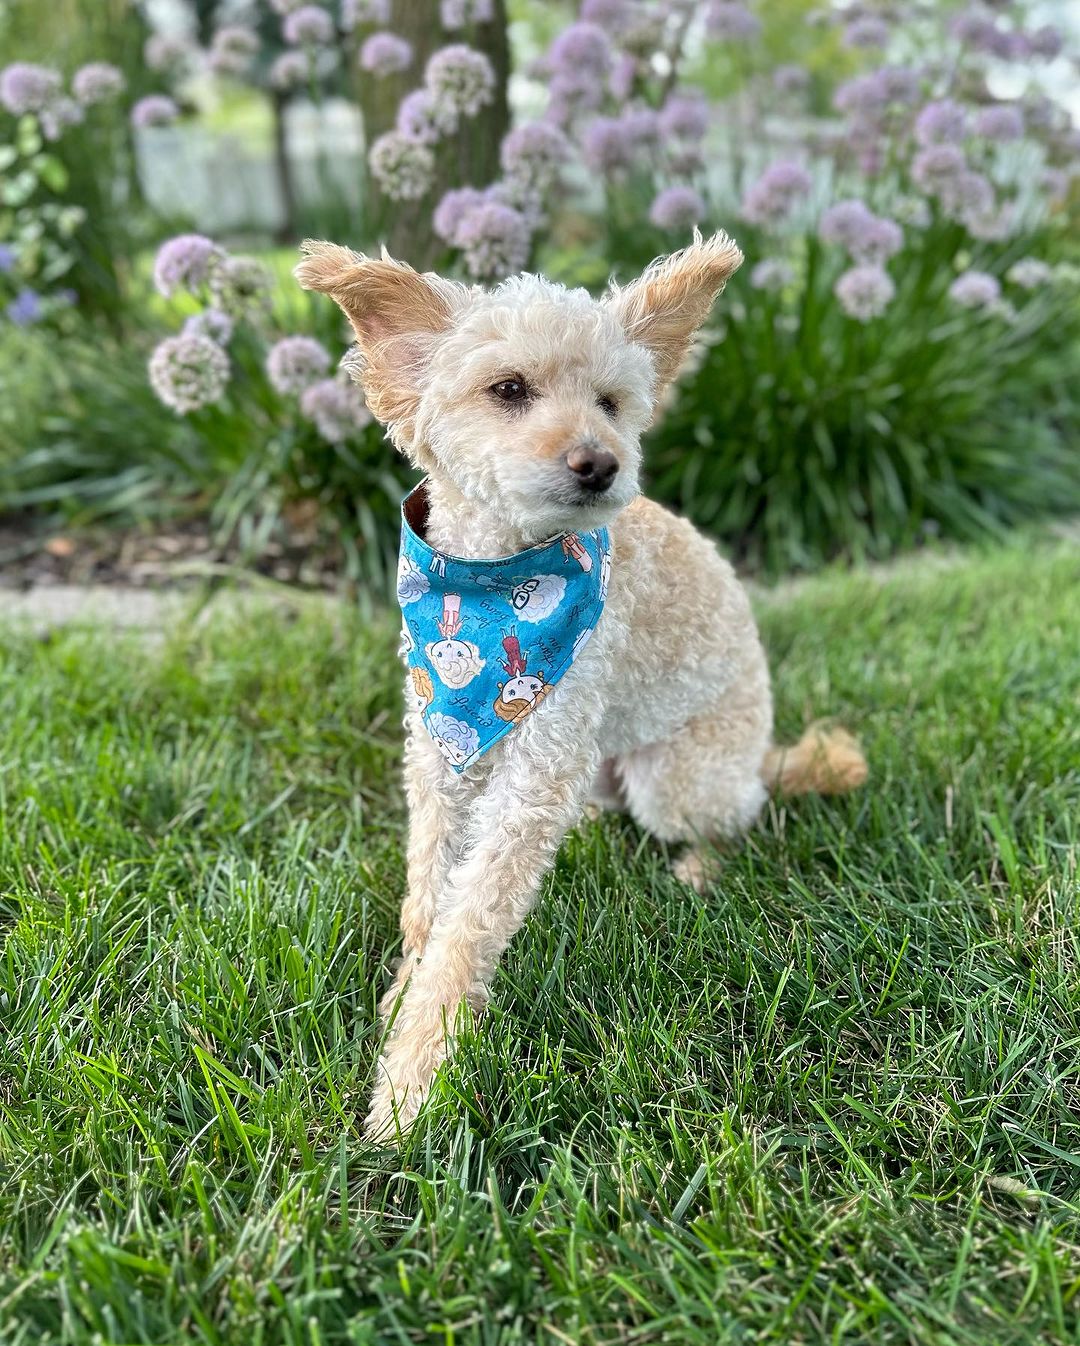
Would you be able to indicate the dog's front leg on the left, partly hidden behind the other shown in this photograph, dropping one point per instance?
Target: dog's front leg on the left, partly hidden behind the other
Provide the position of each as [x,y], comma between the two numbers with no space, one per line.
[438,803]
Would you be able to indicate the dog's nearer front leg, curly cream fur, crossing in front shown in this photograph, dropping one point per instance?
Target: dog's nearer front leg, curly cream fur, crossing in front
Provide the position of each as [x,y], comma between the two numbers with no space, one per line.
[537,792]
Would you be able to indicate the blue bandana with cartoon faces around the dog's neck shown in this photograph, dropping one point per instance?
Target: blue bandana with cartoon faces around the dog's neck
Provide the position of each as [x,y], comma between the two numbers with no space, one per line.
[485,641]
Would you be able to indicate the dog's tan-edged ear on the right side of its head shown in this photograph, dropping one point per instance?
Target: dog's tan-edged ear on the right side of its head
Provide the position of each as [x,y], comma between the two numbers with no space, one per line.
[665,308]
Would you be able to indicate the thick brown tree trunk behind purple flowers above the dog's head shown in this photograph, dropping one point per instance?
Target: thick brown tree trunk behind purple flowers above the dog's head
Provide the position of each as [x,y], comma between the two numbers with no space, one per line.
[469,158]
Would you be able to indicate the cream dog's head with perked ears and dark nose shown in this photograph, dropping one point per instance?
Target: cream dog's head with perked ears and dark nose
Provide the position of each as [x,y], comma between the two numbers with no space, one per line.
[530,398]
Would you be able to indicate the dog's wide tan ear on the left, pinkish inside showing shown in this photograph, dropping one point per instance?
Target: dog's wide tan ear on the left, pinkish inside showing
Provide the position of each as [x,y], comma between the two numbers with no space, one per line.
[397,314]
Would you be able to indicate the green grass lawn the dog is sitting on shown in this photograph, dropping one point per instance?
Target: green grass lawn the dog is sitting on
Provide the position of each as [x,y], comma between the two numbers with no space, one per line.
[836,1102]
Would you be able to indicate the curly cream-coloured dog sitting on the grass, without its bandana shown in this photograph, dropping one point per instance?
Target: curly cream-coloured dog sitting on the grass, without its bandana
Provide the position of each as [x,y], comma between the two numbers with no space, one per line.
[526,406]
